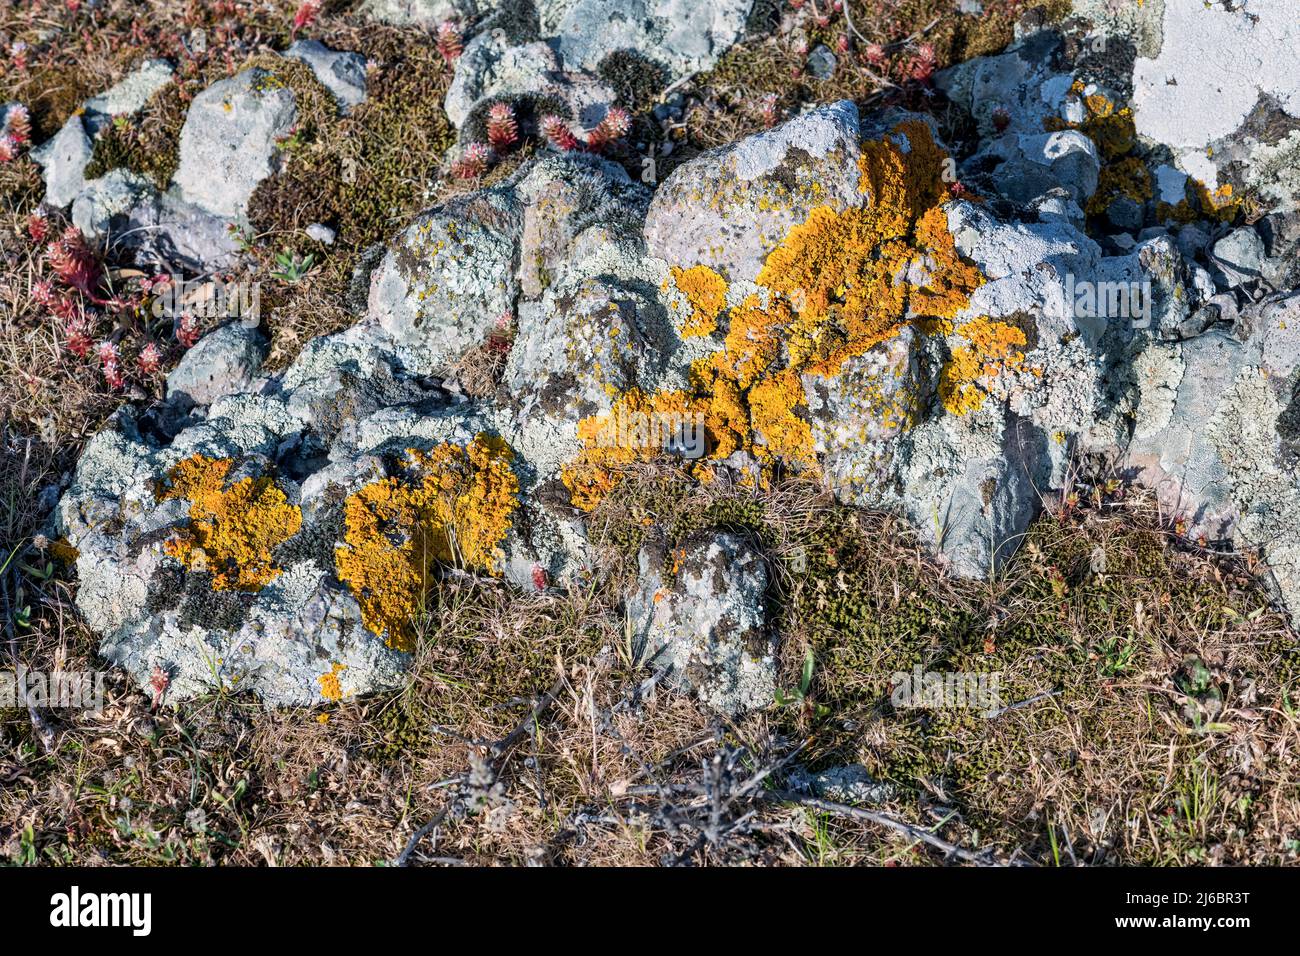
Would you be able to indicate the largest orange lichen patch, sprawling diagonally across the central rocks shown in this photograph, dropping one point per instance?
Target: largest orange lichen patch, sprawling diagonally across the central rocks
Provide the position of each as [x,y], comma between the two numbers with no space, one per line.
[838,285]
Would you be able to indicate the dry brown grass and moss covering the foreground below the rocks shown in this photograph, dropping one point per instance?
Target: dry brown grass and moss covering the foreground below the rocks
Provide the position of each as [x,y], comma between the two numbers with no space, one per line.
[1125,763]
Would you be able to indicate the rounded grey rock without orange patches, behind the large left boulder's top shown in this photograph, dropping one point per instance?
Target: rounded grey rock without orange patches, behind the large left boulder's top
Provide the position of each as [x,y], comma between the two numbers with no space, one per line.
[449,279]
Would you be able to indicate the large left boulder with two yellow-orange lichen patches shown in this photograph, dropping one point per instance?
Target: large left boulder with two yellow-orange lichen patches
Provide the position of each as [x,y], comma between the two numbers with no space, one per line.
[283,544]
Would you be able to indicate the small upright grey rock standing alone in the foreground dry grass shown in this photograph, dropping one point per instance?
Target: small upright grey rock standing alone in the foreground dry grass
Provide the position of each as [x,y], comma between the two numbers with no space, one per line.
[701,615]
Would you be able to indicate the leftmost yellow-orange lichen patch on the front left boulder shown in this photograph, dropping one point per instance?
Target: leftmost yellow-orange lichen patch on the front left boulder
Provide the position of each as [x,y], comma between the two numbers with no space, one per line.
[233,530]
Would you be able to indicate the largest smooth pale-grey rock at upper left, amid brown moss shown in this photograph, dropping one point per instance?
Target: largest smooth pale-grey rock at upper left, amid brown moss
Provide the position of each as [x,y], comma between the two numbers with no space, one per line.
[229,141]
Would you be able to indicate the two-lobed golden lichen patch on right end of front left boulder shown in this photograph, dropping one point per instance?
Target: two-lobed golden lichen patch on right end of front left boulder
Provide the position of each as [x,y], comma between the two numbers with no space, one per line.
[453,505]
